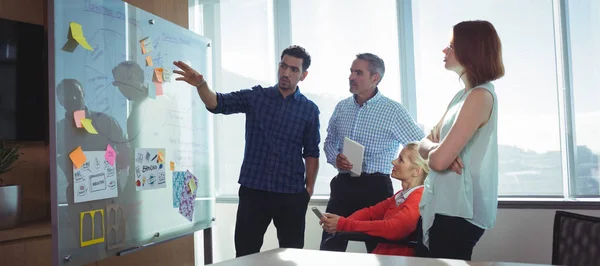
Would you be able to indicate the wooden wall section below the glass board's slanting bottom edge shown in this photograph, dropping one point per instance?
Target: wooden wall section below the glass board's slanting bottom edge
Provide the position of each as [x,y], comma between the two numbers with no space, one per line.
[176,252]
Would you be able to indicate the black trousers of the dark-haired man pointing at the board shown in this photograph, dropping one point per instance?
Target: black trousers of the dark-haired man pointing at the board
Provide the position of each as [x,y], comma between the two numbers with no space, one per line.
[256,210]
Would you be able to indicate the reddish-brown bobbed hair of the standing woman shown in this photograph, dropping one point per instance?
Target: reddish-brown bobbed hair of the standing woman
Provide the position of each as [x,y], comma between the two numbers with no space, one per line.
[478,49]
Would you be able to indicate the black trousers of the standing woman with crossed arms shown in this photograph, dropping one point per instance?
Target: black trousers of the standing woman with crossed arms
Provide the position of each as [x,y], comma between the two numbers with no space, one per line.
[449,238]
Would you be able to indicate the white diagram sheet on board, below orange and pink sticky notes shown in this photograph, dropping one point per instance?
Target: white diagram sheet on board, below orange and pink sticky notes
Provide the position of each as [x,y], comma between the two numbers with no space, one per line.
[95,179]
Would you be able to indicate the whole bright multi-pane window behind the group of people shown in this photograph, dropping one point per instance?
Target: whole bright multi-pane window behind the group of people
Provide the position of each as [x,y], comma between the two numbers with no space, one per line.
[532,120]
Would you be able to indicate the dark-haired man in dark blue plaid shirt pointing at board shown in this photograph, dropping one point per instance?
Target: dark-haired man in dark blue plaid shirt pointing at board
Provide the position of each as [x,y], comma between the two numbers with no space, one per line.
[282,134]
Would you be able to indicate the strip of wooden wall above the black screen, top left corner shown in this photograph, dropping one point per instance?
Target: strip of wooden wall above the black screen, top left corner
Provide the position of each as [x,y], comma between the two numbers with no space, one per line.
[31,11]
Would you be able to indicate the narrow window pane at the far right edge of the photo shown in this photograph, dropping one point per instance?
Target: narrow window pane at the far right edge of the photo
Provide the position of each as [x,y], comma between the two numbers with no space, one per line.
[585,41]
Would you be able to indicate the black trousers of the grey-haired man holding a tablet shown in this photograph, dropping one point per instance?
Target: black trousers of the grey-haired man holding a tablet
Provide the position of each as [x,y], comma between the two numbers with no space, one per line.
[349,194]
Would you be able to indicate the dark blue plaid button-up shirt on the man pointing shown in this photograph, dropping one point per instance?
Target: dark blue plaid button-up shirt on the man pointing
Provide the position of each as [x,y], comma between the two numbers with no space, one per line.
[279,133]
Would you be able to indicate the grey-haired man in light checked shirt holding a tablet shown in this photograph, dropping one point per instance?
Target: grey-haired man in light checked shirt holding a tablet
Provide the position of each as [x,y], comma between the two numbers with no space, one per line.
[378,123]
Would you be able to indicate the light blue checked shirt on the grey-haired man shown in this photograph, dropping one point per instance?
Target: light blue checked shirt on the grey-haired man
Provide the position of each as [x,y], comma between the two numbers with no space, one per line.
[380,125]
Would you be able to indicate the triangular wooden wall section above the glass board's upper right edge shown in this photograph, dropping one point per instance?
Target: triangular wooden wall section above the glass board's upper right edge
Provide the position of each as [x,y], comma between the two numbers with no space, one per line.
[175,11]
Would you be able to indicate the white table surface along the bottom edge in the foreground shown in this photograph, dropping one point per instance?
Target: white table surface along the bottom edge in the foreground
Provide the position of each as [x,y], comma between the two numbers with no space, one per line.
[301,257]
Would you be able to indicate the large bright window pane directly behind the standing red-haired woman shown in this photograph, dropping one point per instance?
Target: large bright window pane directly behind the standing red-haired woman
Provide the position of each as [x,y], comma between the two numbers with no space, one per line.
[528,127]
